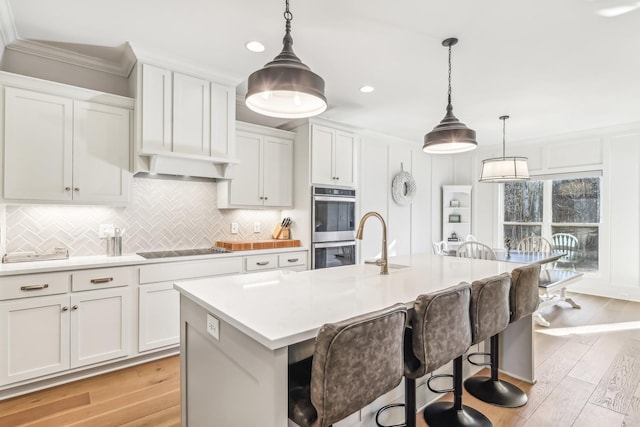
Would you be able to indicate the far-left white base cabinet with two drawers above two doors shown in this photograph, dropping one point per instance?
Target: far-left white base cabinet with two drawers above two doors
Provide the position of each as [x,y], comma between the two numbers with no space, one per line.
[46,329]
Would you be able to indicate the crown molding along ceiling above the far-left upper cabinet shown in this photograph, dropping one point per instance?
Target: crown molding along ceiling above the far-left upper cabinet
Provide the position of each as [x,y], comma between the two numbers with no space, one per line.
[122,68]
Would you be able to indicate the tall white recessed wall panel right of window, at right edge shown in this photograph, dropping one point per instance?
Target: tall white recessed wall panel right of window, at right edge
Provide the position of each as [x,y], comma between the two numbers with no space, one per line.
[624,210]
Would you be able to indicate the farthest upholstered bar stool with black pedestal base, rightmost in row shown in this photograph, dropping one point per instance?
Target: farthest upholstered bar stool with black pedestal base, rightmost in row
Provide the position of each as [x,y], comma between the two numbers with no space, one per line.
[523,301]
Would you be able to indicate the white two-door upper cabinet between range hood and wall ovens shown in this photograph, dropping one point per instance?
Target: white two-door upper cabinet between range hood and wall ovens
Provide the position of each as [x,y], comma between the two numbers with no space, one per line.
[264,176]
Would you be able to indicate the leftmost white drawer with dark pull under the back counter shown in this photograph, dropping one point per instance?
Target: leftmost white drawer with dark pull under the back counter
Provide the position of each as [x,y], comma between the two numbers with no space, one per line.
[34,285]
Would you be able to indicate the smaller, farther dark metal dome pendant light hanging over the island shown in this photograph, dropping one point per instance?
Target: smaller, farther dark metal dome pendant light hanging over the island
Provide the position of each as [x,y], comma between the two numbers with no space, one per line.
[451,135]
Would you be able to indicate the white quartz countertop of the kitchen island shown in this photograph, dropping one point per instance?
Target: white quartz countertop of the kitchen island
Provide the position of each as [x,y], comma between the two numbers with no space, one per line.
[280,308]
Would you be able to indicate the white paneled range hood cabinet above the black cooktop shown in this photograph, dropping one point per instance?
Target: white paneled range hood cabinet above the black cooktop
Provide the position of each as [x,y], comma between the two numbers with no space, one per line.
[185,118]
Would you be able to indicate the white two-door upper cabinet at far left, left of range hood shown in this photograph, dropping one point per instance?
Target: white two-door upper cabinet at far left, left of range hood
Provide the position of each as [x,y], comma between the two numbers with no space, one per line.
[60,149]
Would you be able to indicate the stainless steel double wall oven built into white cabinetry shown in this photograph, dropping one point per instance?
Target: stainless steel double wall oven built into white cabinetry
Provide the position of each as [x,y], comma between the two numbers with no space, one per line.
[333,217]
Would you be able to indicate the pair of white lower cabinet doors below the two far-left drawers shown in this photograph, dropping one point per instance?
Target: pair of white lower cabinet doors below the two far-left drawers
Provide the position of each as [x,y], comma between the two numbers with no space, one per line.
[45,335]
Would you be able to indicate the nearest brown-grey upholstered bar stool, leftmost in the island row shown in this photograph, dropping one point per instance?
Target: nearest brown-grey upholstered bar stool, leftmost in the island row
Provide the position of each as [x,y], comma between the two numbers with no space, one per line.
[355,361]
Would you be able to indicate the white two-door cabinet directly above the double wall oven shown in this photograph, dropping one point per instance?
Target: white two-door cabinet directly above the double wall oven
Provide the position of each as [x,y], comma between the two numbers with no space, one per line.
[332,157]
